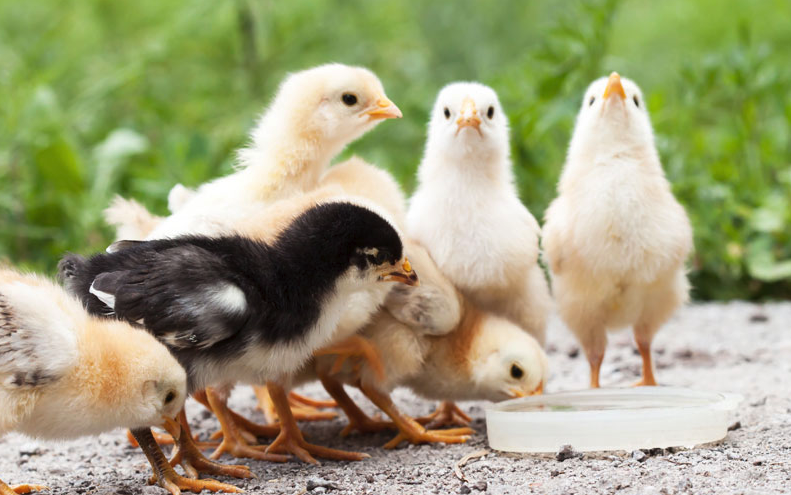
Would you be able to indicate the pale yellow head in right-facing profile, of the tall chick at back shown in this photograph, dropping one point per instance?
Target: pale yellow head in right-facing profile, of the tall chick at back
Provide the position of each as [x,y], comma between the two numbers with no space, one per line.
[337,101]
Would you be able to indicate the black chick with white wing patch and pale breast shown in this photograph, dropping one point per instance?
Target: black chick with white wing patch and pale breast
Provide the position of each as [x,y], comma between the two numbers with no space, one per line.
[232,309]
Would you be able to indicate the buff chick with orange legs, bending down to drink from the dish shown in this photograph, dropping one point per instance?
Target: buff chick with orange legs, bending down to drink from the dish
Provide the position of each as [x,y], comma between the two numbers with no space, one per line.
[468,354]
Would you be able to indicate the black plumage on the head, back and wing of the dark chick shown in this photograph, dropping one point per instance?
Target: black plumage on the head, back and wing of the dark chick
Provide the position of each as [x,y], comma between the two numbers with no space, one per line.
[166,284]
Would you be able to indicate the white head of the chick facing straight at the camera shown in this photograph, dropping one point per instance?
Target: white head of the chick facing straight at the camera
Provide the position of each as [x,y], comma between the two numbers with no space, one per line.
[468,122]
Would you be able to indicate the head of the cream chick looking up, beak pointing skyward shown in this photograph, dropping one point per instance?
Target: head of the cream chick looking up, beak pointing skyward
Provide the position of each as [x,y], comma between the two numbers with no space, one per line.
[613,118]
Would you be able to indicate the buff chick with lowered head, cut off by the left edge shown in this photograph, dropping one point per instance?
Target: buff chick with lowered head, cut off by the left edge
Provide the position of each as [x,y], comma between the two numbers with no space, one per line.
[65,373]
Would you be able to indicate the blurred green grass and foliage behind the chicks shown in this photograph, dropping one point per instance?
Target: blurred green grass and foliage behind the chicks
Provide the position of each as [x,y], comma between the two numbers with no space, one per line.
[101,97]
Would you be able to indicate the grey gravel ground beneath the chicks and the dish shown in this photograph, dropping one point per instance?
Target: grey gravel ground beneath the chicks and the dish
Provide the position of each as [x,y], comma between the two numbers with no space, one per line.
[736,347]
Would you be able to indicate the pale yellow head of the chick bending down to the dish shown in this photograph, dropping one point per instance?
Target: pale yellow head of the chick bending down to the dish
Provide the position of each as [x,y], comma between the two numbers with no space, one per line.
[507,361]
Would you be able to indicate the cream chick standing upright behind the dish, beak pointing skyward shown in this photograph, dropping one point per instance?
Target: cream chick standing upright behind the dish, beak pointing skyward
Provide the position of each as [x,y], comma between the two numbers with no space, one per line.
[615,236]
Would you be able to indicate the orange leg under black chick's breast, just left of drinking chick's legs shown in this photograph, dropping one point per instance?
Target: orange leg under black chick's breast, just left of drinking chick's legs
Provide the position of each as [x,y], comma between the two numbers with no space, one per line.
[290,439]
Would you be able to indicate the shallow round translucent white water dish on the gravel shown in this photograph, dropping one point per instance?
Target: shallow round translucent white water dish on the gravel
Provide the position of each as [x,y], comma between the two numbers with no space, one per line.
[610,419]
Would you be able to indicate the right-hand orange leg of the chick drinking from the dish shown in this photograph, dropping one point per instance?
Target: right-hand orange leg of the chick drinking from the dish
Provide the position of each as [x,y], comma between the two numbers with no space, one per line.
[410,430]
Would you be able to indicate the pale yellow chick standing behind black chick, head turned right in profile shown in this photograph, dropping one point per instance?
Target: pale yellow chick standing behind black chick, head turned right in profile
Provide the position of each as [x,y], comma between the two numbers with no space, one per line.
[315,114]
